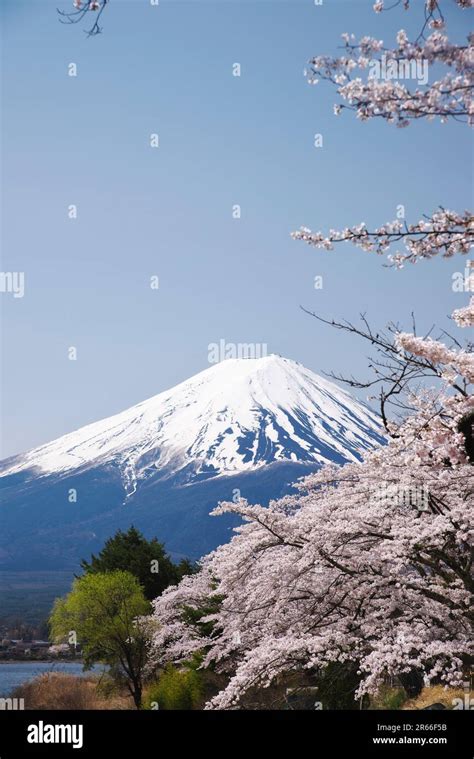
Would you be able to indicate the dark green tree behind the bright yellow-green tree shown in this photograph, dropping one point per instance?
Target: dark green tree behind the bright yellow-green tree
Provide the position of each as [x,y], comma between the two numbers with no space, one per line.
[146,559]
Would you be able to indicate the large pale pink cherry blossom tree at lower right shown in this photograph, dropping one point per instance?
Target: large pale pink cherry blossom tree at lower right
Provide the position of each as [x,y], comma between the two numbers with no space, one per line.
[370,563]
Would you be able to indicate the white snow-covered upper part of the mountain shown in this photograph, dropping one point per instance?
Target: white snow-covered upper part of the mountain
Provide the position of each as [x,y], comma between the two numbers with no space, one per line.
[236,416]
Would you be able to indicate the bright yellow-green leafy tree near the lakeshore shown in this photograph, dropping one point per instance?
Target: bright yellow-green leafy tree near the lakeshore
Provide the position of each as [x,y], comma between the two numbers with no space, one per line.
[106,612]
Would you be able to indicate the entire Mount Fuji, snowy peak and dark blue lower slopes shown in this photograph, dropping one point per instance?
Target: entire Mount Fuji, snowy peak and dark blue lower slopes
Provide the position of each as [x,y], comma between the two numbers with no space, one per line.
[247,425]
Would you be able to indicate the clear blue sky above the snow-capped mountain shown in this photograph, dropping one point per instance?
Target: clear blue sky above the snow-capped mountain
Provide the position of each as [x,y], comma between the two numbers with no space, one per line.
[224,140]
